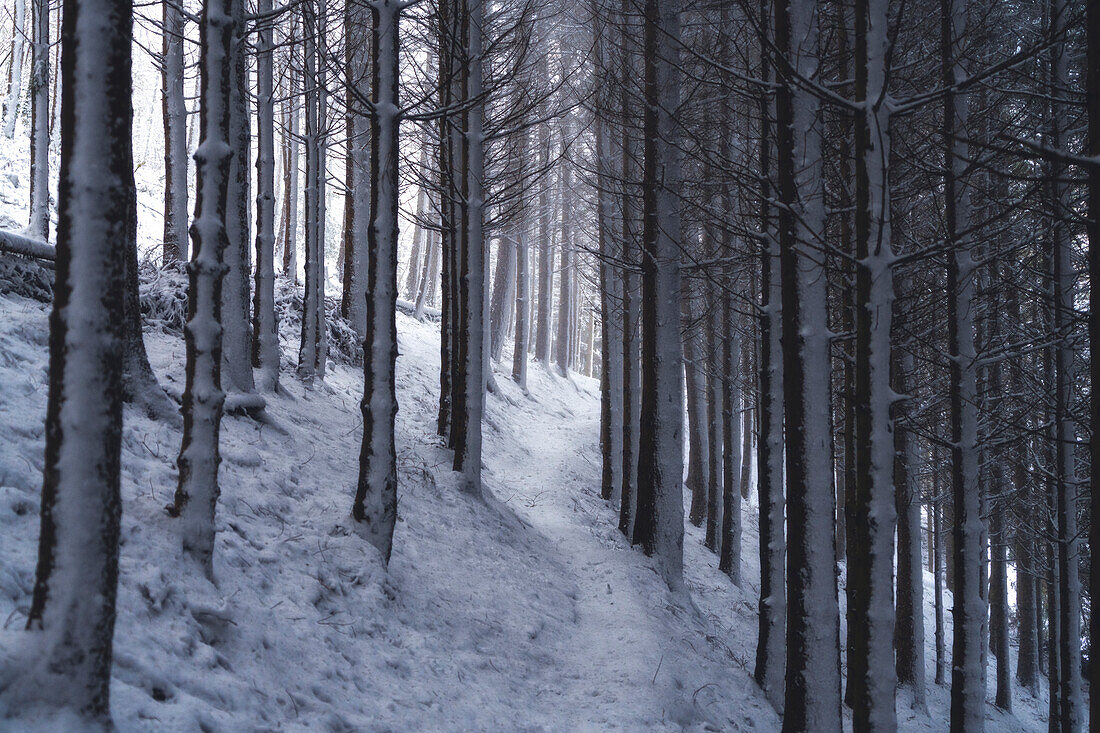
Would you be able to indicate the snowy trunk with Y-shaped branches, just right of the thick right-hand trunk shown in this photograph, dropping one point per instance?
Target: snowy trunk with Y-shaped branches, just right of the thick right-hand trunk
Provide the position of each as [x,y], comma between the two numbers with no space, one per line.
[873,515]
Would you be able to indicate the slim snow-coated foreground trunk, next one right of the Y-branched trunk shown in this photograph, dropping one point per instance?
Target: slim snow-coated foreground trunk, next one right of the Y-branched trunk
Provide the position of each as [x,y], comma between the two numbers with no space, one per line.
[970,609]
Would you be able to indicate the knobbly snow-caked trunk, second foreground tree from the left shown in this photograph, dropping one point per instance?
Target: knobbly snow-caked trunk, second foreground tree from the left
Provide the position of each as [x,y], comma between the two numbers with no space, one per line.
[197,493]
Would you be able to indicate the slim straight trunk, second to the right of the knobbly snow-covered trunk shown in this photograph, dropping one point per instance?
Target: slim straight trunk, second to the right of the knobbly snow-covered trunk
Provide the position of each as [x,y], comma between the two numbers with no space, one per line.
[266,348]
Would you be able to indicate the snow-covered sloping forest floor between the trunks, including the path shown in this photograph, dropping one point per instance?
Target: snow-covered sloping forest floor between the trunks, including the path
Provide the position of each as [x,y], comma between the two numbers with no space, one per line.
[524,611]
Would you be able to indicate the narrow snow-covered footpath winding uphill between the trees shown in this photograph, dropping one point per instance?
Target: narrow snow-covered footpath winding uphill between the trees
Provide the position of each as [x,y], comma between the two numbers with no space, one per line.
[633,659]
